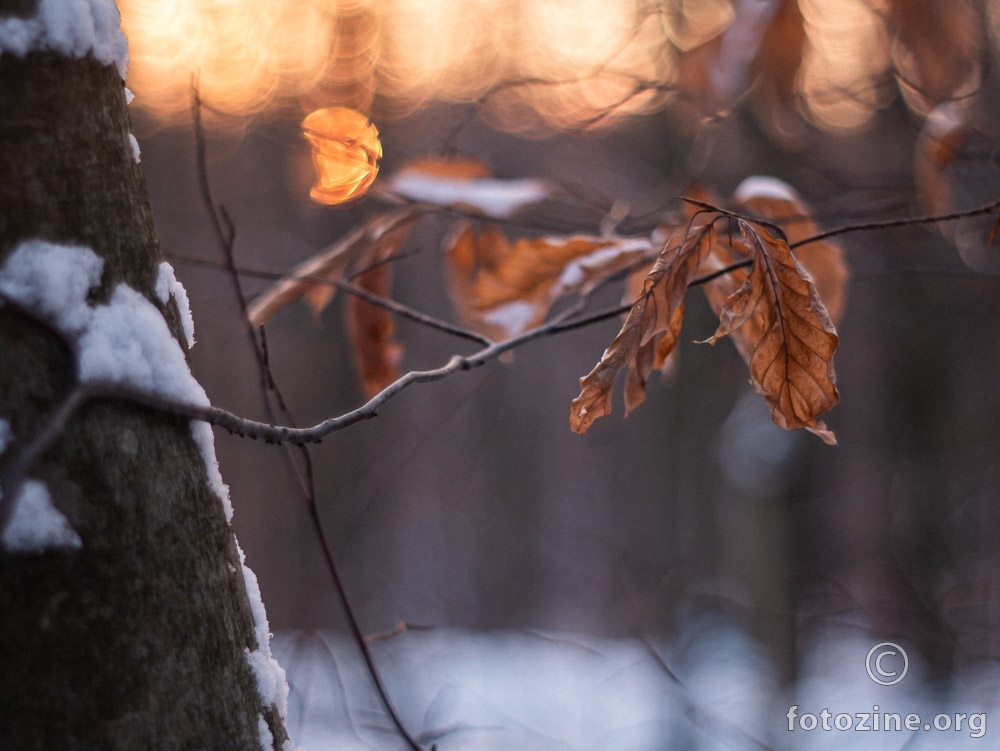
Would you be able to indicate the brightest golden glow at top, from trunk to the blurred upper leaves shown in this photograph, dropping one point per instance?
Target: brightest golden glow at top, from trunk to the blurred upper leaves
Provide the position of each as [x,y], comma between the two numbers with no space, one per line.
[531,63]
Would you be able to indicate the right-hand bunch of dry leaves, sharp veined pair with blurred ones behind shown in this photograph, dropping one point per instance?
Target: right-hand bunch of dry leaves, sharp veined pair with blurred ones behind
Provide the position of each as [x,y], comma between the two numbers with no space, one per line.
[773,311]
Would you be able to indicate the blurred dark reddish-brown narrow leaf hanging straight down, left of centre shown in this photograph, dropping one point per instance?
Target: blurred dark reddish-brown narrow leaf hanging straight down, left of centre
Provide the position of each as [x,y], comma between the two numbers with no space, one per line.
[370,330]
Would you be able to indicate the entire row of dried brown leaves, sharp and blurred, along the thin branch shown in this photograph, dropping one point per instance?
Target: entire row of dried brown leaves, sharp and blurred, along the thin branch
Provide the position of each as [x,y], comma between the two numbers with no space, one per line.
[778,306]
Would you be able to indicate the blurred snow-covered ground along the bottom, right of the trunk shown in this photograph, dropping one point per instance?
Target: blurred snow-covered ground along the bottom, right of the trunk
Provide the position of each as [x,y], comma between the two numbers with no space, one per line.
[712,689]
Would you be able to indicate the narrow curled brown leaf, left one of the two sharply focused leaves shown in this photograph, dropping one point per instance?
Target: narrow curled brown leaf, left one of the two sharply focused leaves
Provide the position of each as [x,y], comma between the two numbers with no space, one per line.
[649,333]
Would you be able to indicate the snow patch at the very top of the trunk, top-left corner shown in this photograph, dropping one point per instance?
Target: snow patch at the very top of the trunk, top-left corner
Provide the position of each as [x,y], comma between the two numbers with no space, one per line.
[72,27]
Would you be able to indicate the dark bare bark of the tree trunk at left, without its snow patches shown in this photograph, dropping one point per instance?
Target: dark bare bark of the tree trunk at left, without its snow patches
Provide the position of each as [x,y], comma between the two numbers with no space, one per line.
[137,639]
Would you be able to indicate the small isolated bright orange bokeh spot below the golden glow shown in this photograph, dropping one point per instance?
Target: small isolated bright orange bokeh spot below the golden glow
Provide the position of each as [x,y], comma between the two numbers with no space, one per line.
[345,150]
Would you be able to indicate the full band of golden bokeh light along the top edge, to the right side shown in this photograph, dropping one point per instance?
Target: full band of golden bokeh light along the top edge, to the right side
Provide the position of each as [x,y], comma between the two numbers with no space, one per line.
[535,65]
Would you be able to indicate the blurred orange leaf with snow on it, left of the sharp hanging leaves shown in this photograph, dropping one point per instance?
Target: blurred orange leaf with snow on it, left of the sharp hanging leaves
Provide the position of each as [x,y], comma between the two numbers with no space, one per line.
[503,289]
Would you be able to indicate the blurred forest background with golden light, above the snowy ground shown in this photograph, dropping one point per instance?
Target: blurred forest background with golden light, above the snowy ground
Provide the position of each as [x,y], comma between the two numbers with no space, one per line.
[469,503]
